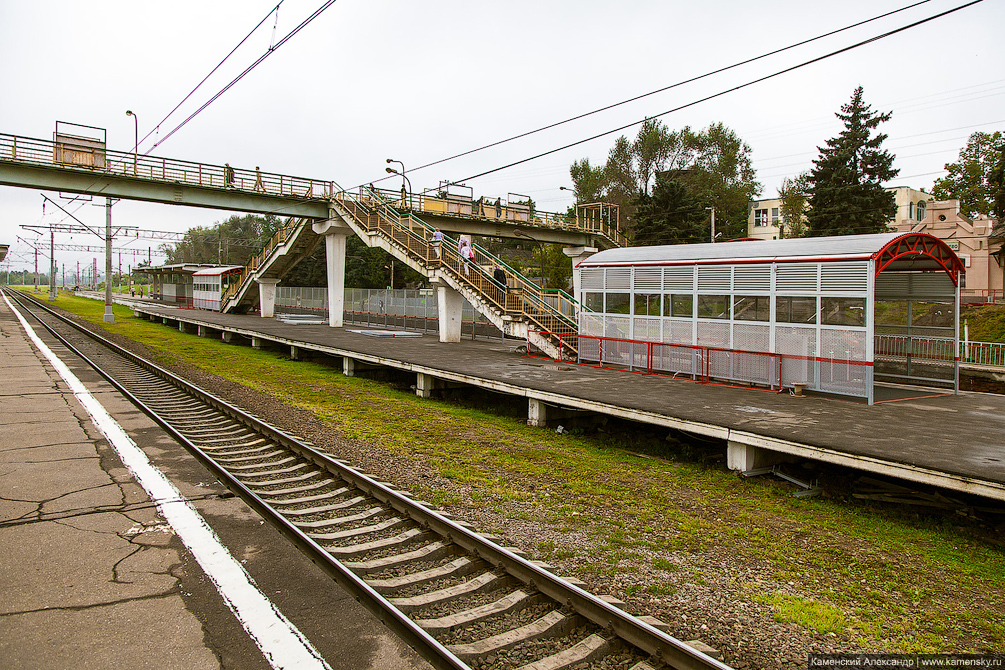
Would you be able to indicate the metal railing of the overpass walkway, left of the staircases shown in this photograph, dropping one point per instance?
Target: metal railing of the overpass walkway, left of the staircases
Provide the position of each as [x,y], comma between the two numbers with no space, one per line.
[69,156]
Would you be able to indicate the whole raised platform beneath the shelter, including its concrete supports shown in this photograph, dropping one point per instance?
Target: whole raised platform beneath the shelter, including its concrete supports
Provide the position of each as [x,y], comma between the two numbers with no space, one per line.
[935,438]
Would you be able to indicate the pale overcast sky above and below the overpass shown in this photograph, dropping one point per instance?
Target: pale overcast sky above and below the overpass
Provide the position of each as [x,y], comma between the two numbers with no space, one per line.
[419,82]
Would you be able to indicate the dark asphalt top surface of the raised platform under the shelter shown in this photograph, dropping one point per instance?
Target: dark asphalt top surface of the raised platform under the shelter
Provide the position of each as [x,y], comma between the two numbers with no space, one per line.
[963,435]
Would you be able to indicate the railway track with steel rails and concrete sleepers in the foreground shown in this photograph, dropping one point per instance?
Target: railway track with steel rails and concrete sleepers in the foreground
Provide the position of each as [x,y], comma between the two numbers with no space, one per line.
[457,597]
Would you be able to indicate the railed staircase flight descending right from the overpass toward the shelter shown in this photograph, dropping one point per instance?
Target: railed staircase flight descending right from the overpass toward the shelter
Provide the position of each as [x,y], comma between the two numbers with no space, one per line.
[550,312]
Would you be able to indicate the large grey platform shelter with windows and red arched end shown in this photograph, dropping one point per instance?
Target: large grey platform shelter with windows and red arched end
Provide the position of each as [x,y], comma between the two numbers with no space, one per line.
[833,315]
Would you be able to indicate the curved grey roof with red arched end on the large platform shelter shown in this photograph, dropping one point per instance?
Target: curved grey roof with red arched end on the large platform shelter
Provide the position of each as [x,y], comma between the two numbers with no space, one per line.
[894,252]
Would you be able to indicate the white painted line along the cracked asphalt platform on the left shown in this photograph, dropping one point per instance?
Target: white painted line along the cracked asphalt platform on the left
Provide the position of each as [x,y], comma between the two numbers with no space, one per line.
[281,642]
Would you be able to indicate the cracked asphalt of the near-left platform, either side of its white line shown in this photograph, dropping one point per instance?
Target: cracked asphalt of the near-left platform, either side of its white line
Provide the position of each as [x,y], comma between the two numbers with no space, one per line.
[93,577]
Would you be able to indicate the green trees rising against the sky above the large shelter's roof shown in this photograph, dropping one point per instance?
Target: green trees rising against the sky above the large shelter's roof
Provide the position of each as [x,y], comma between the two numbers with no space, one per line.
[667,182]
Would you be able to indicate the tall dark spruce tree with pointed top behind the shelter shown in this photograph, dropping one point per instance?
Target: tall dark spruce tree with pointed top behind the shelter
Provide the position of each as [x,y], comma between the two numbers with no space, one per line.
[846,184]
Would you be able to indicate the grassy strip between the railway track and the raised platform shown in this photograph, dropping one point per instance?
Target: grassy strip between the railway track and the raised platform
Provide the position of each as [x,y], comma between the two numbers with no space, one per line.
[886,581]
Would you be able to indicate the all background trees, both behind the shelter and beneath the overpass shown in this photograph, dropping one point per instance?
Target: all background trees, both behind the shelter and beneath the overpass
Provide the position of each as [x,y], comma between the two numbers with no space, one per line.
[668,185]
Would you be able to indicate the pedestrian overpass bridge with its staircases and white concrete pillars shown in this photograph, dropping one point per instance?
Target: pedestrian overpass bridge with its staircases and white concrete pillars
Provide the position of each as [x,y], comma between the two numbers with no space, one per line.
[404,225]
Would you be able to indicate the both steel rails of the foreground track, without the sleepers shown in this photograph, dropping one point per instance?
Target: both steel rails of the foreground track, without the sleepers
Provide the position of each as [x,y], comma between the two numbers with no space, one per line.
[666,648]
